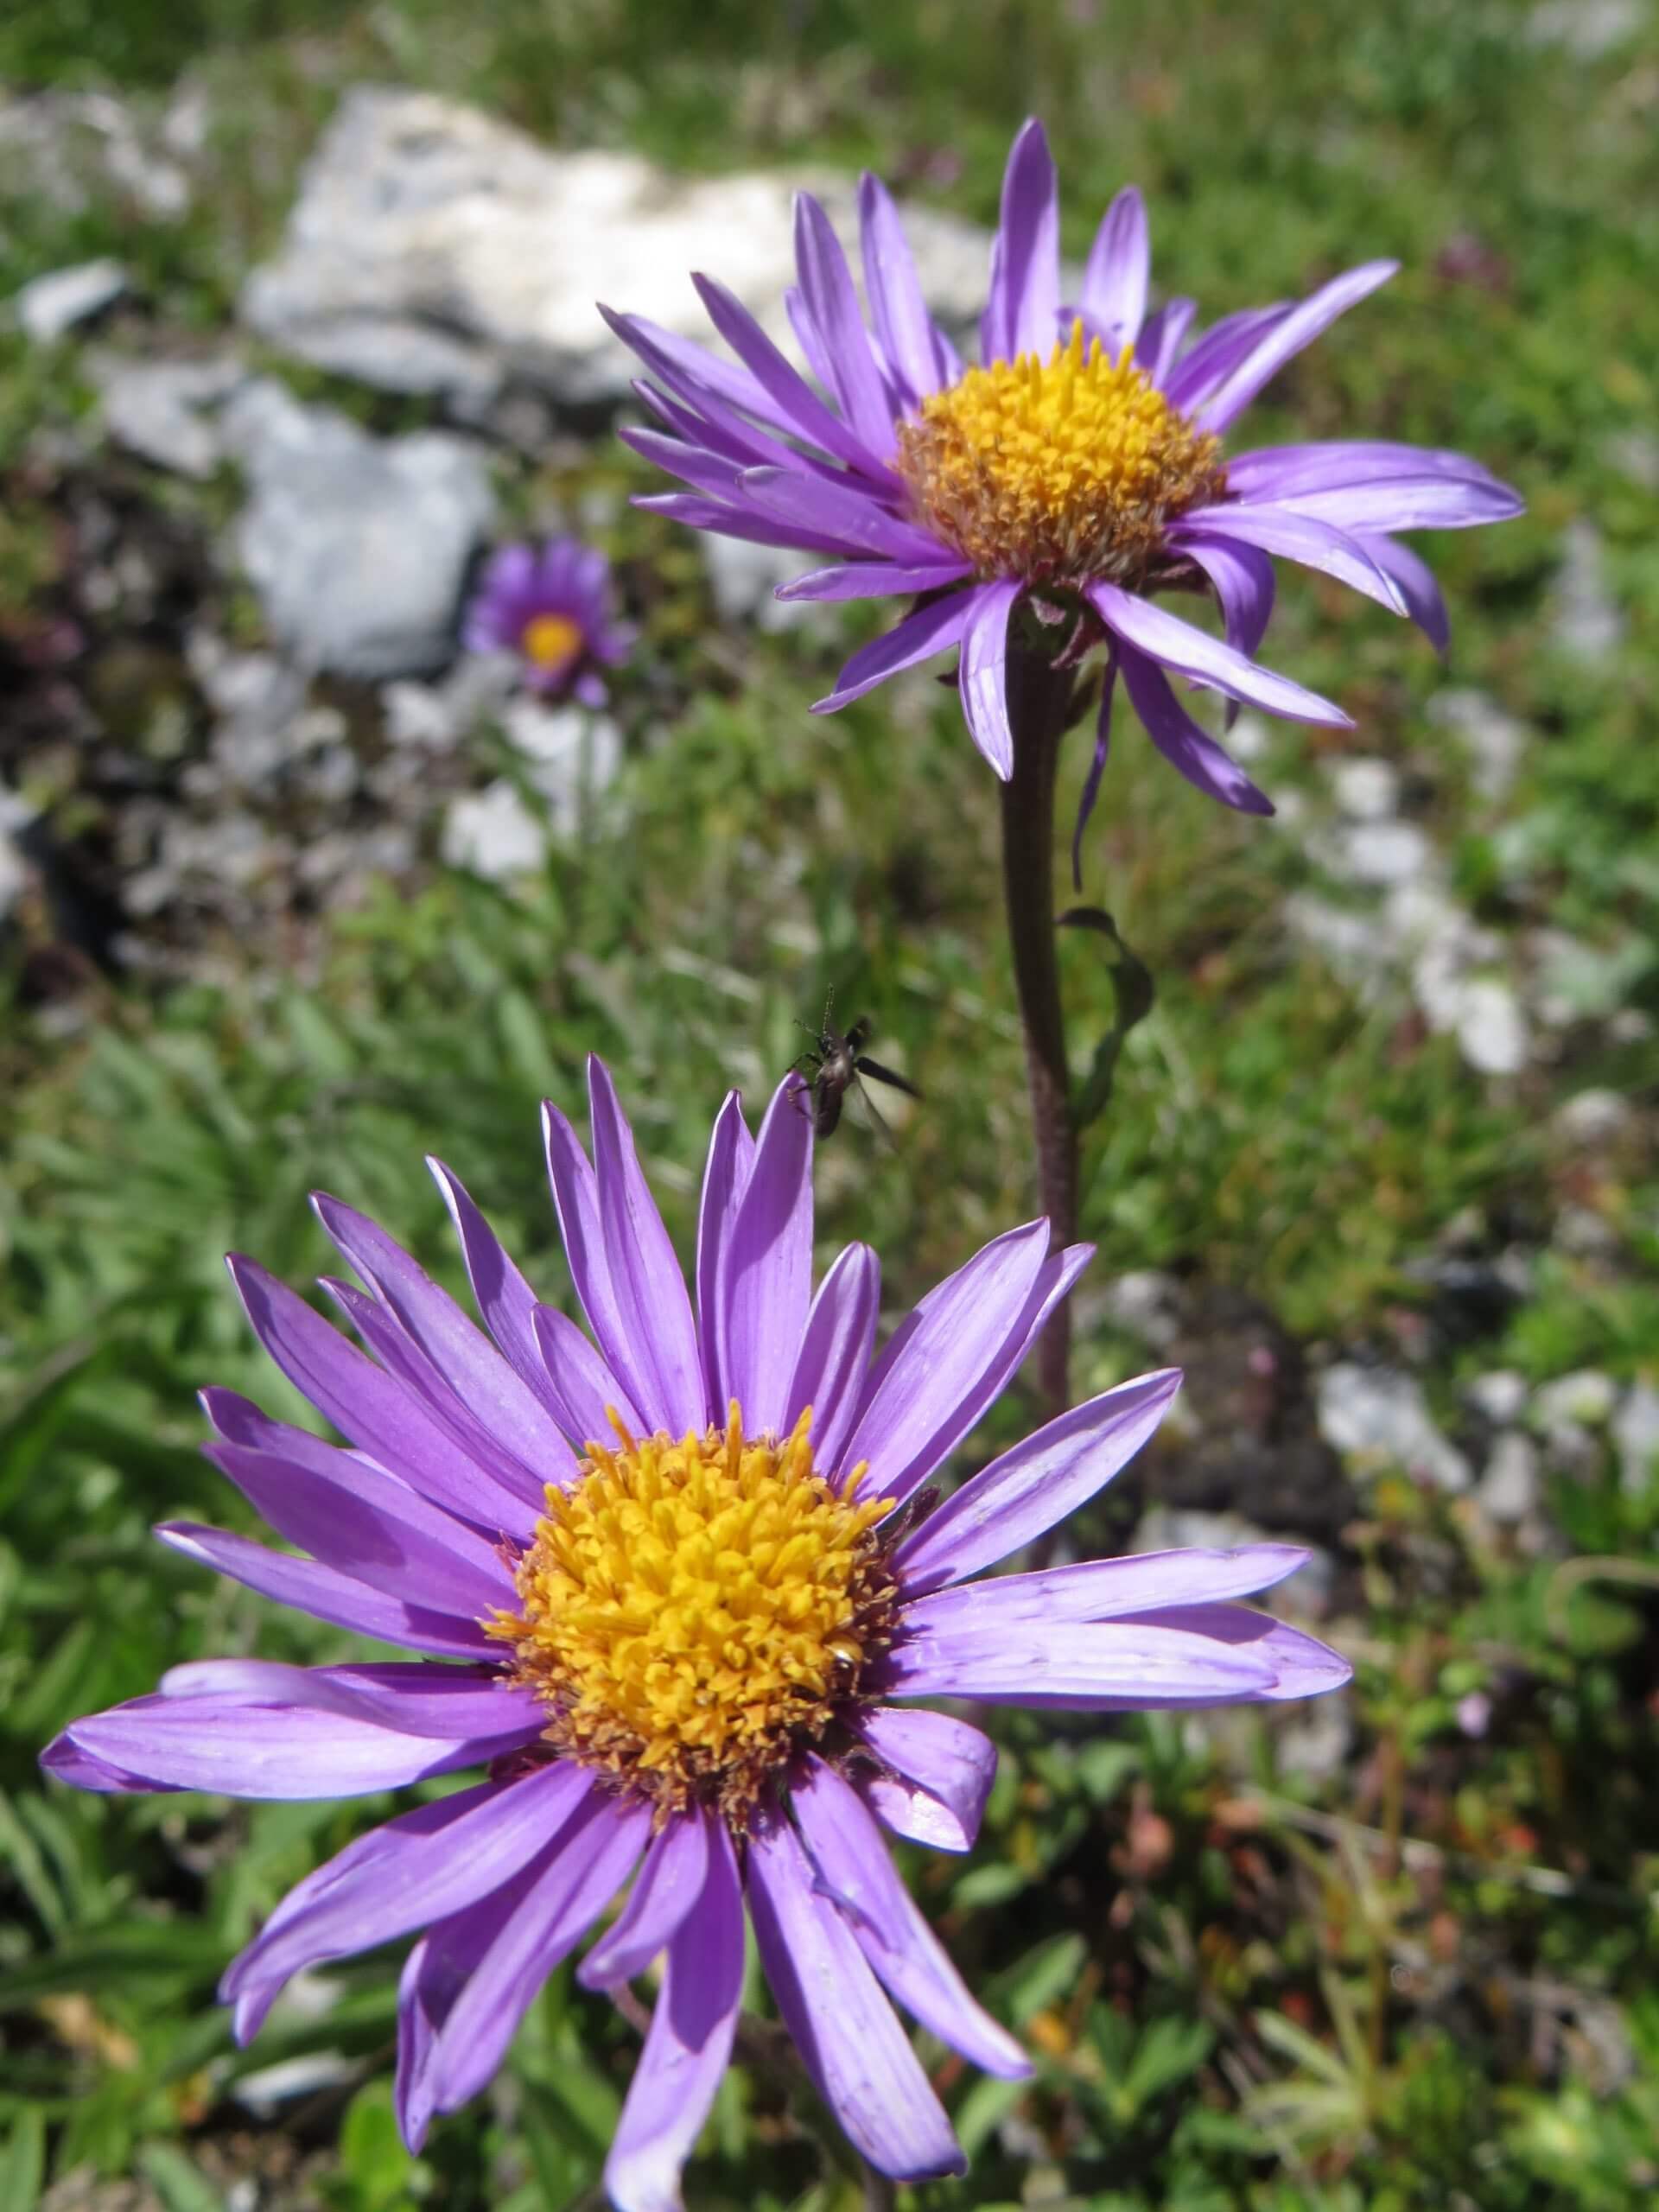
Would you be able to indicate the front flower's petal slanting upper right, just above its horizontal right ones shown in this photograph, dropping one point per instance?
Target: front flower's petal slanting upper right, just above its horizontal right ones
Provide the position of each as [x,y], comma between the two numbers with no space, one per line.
[1036,1485]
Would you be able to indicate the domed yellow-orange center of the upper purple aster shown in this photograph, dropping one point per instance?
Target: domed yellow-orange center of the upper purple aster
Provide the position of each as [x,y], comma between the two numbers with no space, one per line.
[1056,470]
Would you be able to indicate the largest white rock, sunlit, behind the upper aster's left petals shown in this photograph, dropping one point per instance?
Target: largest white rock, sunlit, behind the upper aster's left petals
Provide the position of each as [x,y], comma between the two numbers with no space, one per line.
[435,249]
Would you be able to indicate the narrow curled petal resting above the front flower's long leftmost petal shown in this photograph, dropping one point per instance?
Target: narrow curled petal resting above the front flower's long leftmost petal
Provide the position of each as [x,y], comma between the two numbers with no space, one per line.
[415,1700]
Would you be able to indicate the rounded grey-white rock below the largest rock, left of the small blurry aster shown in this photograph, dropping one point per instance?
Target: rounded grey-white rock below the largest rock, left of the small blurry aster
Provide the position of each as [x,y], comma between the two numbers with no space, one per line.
[355,545]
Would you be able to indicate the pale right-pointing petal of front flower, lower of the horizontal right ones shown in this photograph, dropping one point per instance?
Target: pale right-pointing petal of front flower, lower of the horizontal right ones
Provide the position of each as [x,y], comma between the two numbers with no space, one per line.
[1078,1667]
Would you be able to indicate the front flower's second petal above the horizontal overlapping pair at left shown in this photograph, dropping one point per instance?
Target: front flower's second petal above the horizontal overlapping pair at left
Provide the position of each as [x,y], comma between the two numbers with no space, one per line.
[368,1527]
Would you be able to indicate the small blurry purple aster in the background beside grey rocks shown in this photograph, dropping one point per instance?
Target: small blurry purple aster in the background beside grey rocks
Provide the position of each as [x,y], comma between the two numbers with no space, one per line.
[552,609]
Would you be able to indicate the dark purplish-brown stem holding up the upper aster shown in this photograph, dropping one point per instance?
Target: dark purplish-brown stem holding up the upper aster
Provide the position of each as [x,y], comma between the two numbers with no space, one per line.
[1041,709]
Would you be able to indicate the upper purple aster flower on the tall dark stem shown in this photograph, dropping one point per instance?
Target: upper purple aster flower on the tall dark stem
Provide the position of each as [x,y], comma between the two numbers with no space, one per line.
[1078,468]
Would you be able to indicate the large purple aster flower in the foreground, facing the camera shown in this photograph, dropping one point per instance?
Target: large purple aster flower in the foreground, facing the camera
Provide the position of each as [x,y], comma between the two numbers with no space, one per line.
[678,1589]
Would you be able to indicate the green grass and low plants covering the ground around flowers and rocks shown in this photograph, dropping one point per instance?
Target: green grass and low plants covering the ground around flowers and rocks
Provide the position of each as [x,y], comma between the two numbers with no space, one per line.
[1421,1974]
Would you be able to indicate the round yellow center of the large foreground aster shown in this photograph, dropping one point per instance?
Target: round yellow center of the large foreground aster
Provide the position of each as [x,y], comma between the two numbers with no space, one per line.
[693,1614]
